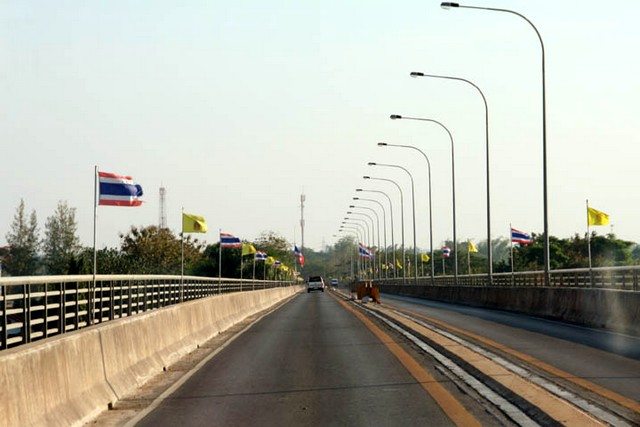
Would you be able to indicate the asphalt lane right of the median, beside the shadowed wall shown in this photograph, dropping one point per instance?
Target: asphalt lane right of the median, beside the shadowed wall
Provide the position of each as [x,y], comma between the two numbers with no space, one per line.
[608,359]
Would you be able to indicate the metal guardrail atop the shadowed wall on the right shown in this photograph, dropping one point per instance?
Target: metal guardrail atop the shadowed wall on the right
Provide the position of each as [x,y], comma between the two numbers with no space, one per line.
[621,278]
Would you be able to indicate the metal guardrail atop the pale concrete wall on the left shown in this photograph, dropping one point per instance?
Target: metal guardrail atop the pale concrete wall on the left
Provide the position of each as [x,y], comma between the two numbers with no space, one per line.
[37,307]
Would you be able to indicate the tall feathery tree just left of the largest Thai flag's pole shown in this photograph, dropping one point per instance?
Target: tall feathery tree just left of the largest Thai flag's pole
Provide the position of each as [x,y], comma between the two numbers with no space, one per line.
[61,244]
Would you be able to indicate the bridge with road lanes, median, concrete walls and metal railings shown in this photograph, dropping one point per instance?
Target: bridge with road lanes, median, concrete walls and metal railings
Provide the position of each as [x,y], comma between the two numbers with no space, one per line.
[161,350]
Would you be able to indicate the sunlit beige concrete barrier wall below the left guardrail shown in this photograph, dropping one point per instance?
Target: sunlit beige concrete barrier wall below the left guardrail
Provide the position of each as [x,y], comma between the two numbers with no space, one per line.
[69,379]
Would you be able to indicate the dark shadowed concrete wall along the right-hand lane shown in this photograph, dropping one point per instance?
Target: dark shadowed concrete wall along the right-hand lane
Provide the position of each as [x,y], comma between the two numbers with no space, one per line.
[601,308]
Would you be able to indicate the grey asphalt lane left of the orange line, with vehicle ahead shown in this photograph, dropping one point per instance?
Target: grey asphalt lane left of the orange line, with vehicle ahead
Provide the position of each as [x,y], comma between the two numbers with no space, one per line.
[311,362]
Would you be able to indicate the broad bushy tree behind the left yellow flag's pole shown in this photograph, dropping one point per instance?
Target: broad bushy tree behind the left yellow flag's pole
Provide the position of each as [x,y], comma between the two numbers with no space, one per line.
[154,250]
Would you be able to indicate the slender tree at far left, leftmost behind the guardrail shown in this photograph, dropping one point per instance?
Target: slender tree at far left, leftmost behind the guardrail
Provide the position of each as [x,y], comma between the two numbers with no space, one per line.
[23,243]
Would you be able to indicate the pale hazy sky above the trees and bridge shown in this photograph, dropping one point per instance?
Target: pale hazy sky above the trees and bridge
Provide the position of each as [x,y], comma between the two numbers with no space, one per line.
[239,107]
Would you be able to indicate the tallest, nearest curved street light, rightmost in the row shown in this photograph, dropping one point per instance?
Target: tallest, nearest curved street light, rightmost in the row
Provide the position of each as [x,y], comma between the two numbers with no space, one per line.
[447,5]
